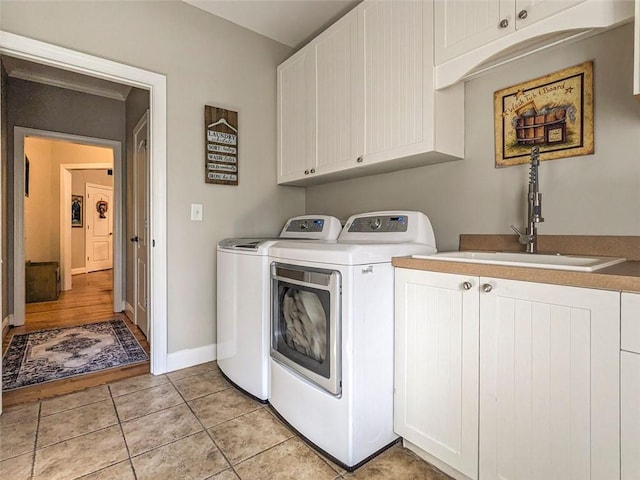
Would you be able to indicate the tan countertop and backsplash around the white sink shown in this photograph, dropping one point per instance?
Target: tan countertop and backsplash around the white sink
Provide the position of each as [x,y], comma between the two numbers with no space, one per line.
[621,277]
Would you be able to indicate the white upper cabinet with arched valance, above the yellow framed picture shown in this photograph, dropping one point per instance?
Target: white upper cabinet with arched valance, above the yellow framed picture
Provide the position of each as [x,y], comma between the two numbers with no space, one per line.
[473,35]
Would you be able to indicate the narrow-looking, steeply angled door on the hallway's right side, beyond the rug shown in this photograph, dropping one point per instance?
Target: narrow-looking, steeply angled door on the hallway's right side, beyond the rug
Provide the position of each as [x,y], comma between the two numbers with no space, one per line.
[141,221]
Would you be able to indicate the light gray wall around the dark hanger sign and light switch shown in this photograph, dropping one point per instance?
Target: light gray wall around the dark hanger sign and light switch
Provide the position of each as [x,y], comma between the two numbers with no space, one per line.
[207,60]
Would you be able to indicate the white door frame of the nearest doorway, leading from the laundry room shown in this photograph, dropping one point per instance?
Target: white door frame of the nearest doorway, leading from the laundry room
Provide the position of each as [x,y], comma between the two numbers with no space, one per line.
[64,58]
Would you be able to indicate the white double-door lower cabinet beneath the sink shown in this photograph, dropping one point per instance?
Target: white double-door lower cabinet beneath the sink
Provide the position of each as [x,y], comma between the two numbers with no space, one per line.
[538,363]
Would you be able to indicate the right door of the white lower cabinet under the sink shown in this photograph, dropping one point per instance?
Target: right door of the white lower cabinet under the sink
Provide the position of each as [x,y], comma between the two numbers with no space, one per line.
[549,382]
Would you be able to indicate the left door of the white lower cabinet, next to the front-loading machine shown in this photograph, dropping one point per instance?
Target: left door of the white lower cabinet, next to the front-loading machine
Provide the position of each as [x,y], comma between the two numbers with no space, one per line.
[436,366]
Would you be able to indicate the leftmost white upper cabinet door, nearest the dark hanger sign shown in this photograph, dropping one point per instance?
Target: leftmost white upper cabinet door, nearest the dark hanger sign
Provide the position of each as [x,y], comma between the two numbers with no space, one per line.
[296,116]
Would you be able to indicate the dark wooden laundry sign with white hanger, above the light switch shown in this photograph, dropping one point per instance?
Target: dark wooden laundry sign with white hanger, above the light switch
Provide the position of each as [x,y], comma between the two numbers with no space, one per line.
[221,146]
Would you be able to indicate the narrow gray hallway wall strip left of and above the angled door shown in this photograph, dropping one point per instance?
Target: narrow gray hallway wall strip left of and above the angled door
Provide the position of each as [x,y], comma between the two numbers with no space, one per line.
[137,103]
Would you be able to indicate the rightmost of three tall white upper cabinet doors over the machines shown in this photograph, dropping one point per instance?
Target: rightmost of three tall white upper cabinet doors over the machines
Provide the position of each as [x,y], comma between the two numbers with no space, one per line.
[394,54]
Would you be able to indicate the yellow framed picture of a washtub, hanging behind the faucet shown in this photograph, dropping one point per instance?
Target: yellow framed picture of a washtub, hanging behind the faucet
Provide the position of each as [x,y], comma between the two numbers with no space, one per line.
[554,113]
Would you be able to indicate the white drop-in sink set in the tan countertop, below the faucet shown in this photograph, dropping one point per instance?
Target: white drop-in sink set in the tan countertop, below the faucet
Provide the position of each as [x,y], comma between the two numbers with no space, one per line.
[556,262]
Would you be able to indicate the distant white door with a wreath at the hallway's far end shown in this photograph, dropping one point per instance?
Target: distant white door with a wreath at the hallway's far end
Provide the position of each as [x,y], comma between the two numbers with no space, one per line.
[99,228]
